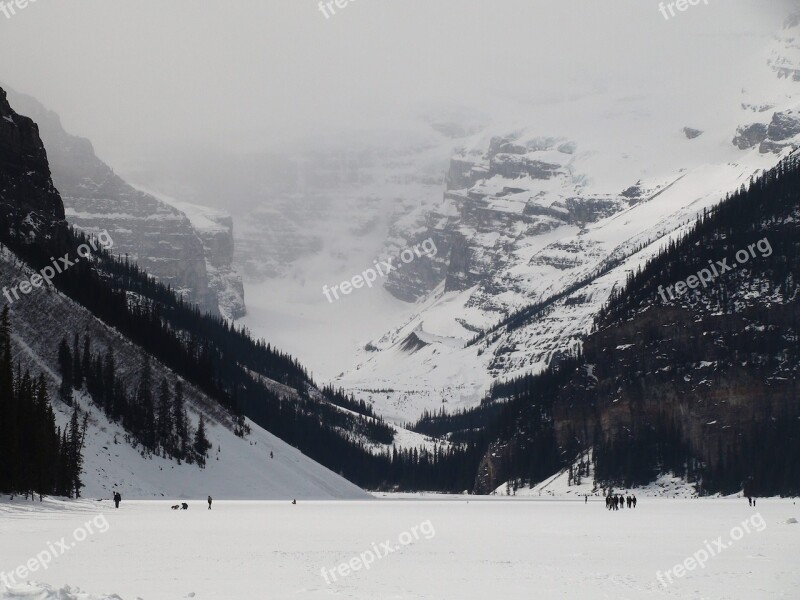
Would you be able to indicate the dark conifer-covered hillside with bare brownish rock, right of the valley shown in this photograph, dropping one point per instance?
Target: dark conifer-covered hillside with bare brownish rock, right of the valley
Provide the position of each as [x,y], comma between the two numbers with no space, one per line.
[699,380]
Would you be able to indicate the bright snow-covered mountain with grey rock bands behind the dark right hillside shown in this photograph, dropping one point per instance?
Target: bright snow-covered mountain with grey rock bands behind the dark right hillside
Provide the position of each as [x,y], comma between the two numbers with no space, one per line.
[553,222]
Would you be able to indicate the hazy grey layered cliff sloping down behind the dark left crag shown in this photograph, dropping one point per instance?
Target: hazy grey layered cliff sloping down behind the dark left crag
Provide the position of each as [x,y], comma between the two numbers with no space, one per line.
[157,236]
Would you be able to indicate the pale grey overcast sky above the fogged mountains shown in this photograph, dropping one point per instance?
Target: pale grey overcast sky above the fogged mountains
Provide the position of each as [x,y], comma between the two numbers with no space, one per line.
[131,73]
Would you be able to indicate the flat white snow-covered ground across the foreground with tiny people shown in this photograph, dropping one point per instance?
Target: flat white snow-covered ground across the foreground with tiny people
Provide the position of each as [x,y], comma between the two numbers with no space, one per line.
[464,548]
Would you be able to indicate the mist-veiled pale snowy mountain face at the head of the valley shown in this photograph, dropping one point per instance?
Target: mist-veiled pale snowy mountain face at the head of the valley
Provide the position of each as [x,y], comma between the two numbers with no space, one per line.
[345,203]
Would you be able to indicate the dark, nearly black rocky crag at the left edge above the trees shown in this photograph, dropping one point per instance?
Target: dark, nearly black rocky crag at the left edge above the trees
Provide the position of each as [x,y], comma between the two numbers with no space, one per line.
[29,198]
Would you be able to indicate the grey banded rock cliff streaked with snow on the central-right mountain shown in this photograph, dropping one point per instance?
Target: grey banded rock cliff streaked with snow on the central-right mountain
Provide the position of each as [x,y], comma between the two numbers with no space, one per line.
[494,202]
